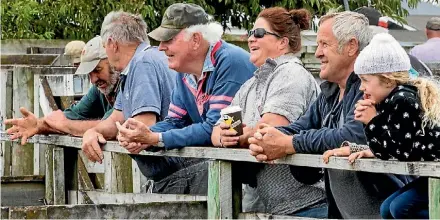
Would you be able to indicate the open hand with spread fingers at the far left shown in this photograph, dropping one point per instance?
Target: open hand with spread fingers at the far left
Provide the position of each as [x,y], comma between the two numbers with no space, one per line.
[24,127]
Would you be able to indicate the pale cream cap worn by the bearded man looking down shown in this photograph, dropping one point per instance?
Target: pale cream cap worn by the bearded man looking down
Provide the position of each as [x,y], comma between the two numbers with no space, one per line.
[92,53]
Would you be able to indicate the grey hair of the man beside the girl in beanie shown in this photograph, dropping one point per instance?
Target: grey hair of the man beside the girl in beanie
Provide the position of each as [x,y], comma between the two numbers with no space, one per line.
[348,25]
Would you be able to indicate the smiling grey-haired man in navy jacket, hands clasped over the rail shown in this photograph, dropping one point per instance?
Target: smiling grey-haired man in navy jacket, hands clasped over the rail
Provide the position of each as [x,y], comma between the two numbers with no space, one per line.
[330,121]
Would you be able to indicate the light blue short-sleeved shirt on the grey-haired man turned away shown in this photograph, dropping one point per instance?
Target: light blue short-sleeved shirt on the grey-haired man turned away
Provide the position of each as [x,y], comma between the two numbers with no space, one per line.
[148,84]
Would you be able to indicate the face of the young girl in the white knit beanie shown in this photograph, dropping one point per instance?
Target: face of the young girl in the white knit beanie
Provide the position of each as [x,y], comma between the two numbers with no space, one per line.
[374,88]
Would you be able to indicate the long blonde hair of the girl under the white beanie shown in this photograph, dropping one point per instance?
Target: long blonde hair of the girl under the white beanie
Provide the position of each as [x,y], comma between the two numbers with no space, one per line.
[429,93]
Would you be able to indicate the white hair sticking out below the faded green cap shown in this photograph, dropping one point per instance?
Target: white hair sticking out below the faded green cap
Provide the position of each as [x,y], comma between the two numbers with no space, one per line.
[211,32]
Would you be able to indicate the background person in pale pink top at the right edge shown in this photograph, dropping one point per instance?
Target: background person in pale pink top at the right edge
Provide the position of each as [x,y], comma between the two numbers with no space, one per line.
[428,51]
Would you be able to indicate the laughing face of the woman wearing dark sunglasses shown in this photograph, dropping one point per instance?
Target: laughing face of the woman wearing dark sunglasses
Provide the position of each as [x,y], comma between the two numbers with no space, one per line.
[267,46]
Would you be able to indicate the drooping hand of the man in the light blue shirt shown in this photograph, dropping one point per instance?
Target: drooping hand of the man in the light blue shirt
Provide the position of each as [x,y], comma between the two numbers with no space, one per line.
[91,145]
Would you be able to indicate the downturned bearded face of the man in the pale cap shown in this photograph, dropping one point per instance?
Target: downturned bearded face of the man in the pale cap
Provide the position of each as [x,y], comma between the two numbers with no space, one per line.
[103,77]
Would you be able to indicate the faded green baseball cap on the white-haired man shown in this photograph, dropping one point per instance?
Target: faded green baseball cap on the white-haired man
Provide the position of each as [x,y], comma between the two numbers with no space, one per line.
[177,17]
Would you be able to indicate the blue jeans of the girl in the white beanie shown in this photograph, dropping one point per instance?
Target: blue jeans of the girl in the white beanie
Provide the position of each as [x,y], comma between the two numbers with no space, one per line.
[411,201]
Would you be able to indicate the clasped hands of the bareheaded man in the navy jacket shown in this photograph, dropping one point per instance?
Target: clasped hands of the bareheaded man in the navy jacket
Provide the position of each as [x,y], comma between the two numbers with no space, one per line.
[268,144]
